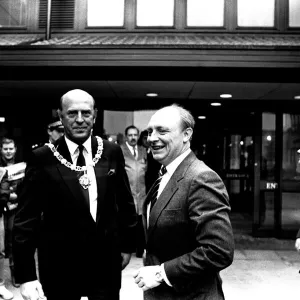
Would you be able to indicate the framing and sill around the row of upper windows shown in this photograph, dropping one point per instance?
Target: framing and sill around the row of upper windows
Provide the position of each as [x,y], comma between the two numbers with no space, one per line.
[281,21]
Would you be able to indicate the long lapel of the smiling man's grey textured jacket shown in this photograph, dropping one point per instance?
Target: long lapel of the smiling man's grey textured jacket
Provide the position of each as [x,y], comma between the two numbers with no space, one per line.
[169,191]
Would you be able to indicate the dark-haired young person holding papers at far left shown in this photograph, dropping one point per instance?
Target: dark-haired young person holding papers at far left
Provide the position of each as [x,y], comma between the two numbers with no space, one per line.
[16,172]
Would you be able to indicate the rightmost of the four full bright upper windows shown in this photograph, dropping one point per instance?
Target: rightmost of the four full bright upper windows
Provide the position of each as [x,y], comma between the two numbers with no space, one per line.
[256,13]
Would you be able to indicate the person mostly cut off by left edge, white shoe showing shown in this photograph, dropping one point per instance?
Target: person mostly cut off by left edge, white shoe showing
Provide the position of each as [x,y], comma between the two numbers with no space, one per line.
[4,197]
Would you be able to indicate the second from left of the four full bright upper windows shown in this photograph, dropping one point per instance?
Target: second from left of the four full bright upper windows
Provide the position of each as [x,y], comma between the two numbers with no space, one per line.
[155,13]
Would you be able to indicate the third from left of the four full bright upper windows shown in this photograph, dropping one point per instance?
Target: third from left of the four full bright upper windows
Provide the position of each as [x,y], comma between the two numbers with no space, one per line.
[205,13]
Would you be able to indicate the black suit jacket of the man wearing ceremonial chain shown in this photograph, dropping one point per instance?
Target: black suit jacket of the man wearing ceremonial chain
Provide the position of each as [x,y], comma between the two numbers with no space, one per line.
[75,252]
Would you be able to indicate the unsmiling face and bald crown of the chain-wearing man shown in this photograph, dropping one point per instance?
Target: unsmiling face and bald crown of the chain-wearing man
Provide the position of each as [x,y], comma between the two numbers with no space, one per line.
[77,115]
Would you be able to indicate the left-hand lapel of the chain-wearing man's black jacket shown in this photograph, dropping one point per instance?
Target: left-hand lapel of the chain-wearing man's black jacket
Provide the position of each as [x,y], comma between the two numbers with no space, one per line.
[69,176]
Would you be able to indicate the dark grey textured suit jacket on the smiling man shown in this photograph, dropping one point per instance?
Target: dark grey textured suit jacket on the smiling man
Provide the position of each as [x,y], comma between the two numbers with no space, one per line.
[190,232]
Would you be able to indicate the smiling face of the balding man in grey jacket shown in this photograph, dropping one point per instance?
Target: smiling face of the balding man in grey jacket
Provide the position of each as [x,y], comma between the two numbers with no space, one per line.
[166,135]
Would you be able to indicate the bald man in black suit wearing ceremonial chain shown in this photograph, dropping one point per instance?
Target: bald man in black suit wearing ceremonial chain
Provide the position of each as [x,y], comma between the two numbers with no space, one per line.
[76,209]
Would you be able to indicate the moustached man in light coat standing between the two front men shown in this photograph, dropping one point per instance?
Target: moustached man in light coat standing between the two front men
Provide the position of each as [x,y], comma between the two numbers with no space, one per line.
[136,166]
